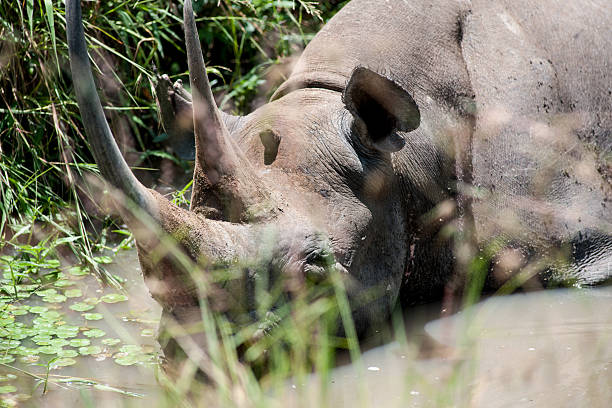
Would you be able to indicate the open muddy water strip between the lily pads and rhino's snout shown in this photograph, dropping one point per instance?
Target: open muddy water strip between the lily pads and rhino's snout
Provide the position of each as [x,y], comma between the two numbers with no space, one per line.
[135,322]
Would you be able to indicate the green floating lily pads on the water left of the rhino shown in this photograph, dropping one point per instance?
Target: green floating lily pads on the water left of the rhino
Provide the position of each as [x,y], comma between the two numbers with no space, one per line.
[57,333]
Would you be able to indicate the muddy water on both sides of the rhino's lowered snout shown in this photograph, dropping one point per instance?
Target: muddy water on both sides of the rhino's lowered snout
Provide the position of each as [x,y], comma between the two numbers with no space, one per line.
[541,349]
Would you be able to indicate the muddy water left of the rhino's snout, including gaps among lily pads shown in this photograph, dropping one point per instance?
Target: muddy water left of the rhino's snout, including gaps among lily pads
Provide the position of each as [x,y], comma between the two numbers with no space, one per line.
[97,380]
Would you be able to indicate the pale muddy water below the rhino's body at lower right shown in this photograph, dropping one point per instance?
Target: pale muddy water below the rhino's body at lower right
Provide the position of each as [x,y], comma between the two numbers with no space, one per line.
[543,349]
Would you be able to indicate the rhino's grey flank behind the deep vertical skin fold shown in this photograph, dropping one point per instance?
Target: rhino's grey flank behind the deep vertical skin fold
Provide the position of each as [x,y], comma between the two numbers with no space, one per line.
[542,81]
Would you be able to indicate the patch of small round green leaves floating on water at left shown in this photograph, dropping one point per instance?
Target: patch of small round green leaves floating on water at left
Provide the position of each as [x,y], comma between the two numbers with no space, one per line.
[50,323]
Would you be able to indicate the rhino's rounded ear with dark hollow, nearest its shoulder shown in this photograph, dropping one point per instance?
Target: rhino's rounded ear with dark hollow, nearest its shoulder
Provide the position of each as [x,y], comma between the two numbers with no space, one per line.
[381,108]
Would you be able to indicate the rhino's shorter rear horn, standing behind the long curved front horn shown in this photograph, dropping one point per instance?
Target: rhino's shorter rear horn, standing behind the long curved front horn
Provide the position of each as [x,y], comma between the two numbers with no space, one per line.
[227,170]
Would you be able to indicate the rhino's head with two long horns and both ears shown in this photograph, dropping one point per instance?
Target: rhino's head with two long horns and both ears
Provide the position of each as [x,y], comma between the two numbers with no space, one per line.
[301,185]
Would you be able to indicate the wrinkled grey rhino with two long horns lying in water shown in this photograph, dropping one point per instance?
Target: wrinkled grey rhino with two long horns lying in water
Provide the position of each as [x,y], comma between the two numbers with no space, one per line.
[392,112]
